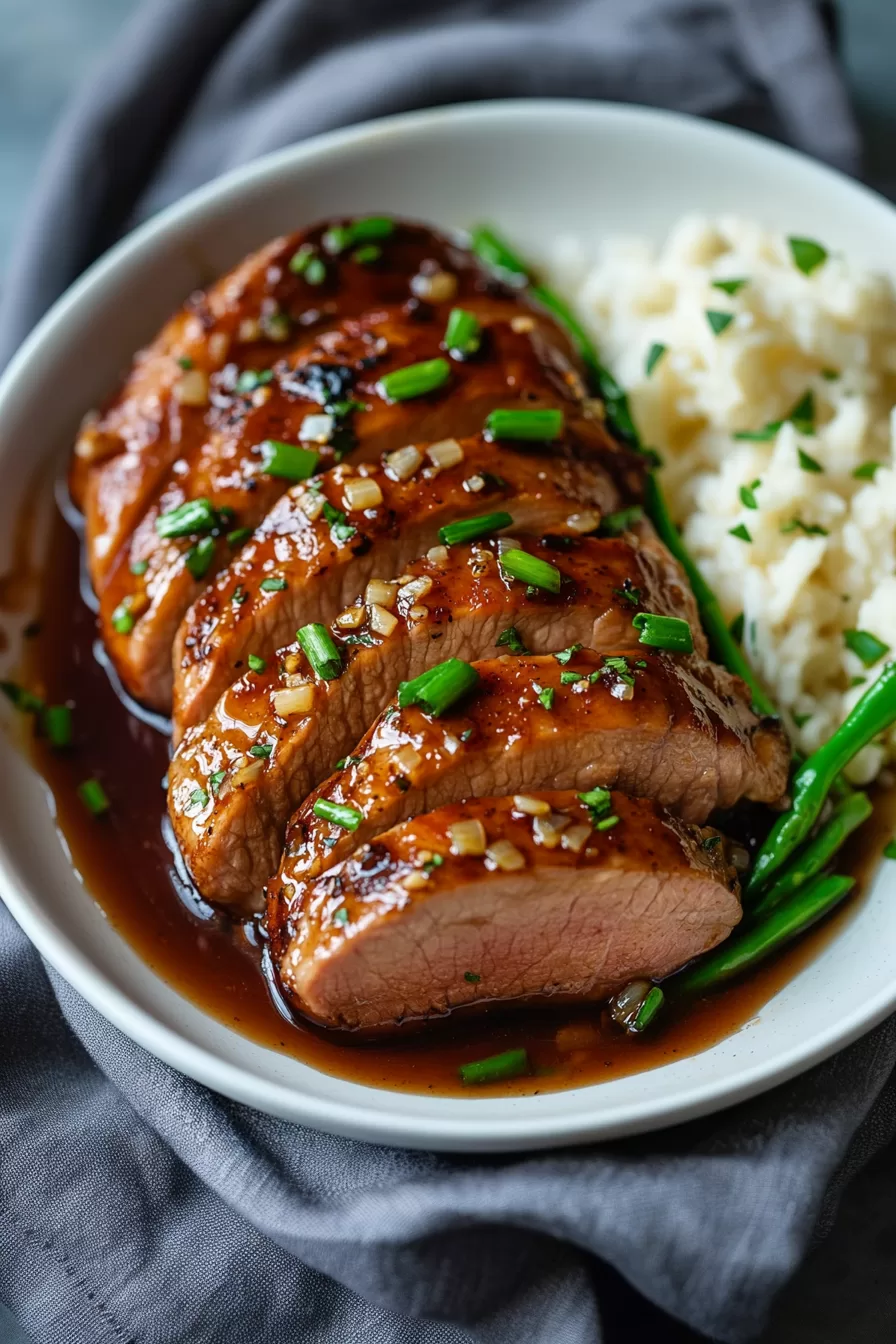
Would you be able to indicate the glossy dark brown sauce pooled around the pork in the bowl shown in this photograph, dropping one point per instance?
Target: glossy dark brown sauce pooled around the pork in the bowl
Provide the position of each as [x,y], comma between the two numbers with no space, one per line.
[131,872]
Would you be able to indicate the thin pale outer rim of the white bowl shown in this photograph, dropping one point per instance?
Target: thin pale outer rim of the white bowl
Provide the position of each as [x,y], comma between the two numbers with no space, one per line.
[238,1083]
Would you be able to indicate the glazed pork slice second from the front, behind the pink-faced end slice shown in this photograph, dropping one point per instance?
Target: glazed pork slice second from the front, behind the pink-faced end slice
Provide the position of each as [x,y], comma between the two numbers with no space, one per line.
[682,733]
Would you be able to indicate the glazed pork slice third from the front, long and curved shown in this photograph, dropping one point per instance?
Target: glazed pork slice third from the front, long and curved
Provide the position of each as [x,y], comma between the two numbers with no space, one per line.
[230,810]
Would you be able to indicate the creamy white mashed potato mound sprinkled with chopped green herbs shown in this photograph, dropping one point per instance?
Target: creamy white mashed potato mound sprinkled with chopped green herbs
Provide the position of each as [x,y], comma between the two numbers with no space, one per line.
[796,526]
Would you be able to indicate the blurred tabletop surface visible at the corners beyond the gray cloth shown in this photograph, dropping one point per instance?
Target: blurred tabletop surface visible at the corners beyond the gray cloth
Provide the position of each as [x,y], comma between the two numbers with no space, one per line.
[48,48]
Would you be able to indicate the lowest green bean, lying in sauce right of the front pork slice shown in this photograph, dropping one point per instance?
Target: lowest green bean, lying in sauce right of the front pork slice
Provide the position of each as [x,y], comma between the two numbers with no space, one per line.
[746,950]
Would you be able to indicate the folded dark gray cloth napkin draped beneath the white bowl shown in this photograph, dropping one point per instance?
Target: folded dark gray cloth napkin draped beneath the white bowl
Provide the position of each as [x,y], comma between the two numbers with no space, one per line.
[134,1204]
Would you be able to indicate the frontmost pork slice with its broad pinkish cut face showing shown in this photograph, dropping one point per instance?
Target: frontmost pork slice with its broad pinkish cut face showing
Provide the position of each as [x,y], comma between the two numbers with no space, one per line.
[409,928]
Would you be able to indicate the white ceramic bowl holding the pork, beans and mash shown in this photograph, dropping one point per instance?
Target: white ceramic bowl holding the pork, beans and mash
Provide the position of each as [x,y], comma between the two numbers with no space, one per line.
[538,170]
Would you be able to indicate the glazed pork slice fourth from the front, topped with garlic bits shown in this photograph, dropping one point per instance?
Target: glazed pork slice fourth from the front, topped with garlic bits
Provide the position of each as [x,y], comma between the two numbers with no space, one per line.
[326,560]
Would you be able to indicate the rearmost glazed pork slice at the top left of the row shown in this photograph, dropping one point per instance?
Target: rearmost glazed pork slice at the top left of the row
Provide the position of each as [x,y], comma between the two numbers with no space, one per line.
[240,323]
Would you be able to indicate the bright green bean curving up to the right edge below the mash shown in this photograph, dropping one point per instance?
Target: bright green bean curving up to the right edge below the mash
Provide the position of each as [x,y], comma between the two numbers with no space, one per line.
[813,782]
